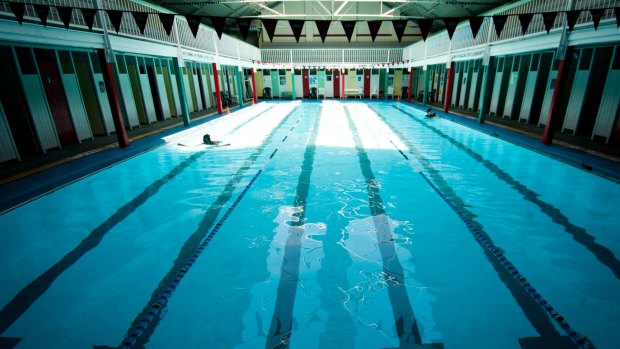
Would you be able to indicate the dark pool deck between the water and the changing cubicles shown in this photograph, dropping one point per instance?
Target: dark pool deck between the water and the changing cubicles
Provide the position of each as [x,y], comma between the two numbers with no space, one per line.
[41,177]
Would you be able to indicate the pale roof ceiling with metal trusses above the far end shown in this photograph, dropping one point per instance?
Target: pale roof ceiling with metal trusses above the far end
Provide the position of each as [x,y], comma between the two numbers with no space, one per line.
[359,10]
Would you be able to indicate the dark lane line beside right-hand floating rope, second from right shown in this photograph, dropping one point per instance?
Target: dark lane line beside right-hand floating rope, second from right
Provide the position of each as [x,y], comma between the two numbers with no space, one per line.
[533,305]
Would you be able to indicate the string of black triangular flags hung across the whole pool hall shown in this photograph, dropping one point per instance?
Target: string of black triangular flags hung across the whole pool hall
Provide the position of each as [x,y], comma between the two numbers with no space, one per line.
[219,23]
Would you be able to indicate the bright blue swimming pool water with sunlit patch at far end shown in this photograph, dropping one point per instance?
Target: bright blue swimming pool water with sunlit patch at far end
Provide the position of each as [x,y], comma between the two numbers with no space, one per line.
[322,225]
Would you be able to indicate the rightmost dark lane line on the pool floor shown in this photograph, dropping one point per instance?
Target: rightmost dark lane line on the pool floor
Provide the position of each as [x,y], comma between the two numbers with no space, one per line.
[579,234]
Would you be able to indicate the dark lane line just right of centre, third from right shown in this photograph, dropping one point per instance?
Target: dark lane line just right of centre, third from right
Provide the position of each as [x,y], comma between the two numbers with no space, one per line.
[404,318]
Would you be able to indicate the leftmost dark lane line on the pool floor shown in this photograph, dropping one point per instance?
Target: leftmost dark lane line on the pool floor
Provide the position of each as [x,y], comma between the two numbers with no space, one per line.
[15,308]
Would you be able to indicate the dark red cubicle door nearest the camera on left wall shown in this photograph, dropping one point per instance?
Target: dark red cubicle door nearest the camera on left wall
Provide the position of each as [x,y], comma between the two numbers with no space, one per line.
[46,60]
